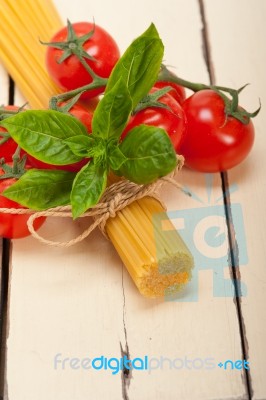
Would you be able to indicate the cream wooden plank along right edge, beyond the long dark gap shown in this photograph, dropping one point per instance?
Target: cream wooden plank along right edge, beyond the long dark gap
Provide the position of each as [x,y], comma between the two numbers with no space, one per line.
[239,56]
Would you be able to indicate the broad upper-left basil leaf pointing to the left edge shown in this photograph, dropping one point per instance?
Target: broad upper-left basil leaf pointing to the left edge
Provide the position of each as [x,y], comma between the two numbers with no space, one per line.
[42,134]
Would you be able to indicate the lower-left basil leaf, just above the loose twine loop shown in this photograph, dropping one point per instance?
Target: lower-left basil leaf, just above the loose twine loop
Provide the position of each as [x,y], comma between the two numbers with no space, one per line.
[42,189]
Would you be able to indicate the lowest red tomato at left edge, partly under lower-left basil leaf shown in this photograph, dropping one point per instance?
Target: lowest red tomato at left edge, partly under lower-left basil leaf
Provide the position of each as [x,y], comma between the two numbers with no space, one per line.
[14,226]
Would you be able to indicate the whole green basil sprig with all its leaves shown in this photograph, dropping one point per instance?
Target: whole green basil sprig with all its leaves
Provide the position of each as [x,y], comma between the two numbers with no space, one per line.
[56,138]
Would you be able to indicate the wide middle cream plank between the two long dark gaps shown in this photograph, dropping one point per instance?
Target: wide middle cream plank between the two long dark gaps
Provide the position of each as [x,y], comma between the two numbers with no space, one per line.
[80,302]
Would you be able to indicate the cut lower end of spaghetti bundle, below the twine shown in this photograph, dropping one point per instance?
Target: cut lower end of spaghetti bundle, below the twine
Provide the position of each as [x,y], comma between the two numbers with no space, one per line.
[155,255]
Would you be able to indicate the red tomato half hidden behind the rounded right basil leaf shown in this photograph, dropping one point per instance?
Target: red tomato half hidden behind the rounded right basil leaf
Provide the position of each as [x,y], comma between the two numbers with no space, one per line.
[172,120]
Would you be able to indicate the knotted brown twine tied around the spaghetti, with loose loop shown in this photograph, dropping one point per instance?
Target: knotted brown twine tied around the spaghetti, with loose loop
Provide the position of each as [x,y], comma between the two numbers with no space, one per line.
[116,197]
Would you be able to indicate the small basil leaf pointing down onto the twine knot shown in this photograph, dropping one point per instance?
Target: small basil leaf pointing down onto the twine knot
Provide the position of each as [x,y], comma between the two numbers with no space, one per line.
[88,187]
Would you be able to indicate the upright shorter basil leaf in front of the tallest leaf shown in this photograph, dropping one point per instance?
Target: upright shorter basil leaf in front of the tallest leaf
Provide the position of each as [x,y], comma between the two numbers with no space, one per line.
[112,112]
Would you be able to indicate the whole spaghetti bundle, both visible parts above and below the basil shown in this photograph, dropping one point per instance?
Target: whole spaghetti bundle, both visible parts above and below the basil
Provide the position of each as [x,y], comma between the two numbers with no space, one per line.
[158,261]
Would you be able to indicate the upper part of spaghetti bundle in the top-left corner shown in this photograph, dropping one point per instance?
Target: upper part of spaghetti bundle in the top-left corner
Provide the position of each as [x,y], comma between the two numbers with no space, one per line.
[23,24]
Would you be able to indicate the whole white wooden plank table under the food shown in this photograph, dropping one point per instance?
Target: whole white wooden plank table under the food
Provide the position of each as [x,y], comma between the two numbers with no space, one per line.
[80,302]
